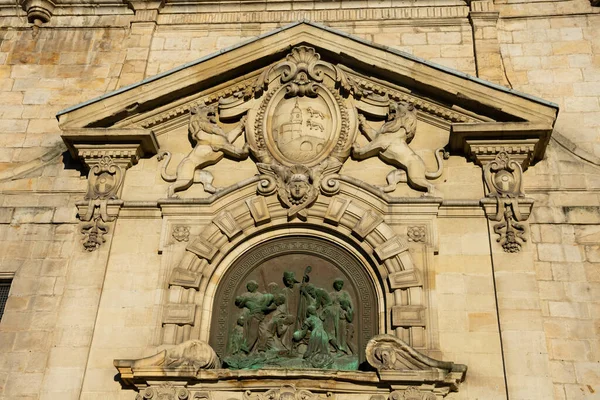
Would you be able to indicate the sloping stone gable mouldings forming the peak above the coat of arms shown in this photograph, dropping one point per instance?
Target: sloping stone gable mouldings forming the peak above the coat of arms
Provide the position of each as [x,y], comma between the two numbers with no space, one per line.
[453,94]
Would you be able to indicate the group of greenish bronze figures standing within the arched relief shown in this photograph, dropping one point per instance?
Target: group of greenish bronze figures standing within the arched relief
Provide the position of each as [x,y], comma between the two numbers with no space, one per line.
[299,325]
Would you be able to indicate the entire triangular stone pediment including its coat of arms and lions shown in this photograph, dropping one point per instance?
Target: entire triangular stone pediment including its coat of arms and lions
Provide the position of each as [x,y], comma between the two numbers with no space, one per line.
[354,83]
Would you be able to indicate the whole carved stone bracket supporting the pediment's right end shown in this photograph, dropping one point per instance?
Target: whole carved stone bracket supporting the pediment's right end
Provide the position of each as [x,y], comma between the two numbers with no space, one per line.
[504,151]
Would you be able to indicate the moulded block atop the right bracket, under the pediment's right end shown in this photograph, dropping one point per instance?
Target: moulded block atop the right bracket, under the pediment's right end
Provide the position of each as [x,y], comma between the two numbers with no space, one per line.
[525,142]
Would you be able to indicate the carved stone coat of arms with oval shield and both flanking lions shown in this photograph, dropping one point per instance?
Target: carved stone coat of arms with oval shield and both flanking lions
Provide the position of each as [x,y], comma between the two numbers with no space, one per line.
[300,121]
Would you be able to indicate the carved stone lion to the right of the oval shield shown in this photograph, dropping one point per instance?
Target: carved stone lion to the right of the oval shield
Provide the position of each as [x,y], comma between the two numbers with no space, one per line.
[390,143]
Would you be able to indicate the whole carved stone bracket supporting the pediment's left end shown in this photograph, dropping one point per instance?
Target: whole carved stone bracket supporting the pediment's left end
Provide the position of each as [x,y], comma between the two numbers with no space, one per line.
[107,154]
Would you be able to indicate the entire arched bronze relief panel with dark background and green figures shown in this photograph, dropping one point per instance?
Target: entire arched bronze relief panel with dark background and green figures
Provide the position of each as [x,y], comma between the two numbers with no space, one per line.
[295,302]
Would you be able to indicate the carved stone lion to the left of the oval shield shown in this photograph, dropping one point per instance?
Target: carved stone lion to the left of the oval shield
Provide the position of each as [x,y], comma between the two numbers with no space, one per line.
[212,144]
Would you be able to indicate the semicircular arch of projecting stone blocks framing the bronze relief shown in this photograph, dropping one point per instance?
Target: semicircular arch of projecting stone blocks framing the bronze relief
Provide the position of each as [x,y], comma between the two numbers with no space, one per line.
[398,283]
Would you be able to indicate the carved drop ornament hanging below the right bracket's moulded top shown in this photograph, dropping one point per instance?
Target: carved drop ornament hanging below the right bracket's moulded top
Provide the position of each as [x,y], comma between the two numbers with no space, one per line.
[504,180]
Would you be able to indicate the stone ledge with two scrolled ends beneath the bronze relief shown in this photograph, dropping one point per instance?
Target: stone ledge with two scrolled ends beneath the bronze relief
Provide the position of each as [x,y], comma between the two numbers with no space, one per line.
[401,373]
